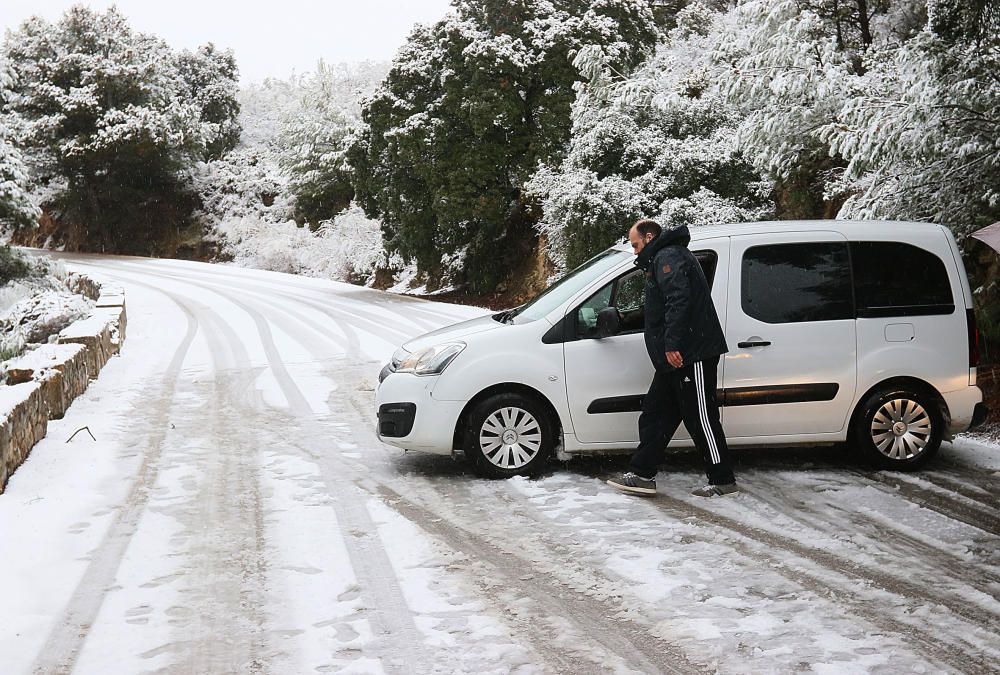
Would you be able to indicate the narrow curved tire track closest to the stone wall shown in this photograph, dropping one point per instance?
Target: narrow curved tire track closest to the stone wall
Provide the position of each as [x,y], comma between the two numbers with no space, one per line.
[63,645]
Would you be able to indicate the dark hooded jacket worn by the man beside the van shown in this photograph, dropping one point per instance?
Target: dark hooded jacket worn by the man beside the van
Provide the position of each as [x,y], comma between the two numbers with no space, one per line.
[679,312]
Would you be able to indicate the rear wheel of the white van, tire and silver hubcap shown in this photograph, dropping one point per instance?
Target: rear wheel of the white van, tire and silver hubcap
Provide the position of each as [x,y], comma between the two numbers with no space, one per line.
[898,429]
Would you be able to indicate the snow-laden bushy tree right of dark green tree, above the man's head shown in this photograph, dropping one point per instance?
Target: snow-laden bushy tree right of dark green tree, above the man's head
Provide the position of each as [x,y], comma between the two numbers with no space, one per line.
[658,143]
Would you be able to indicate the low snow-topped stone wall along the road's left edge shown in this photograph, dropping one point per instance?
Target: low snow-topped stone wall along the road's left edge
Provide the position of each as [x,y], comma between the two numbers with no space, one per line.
[42,383]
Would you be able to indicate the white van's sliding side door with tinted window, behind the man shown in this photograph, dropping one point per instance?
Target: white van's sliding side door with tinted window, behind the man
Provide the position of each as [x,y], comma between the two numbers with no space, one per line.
[792,364]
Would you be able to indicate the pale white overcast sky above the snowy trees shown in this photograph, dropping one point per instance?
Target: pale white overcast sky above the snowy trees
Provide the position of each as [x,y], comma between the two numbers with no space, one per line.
[269,39]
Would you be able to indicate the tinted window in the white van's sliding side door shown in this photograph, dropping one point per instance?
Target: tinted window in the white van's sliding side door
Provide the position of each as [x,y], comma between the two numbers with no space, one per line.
[792,283]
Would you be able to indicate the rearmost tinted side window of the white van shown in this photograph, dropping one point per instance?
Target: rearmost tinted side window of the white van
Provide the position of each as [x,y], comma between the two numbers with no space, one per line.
[896,279]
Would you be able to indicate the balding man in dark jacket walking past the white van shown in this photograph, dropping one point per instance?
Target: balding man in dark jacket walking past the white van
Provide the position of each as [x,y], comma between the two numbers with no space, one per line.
[685,341]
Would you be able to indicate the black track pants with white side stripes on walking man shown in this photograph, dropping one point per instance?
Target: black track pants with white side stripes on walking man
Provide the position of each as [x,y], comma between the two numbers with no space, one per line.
[686,394]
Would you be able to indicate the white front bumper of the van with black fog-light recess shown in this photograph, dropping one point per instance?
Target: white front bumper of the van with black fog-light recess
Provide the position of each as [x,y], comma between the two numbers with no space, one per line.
[409,416]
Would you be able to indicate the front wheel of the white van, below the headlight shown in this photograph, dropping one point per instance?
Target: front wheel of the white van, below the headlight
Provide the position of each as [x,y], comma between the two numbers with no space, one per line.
[509,435]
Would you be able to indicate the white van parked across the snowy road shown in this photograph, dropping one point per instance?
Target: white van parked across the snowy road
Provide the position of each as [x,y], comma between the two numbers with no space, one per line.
[838,331]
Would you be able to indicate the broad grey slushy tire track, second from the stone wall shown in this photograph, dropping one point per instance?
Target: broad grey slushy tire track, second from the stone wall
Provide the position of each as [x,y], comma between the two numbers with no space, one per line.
[225,520]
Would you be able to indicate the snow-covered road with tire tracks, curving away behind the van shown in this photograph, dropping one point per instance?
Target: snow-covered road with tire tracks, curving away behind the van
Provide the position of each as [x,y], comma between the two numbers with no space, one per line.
[237,515]
